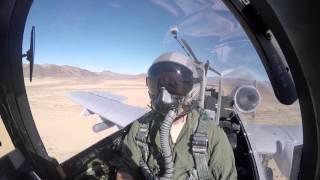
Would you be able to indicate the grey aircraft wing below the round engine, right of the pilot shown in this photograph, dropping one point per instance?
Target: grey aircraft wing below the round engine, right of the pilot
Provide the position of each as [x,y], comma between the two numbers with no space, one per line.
[283,143]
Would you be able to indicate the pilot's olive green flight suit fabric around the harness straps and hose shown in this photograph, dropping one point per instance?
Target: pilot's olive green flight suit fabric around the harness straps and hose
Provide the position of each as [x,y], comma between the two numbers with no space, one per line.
[221,161]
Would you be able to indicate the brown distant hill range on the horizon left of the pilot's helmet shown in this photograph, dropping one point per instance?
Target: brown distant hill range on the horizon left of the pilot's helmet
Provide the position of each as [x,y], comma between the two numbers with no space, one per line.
[65,71]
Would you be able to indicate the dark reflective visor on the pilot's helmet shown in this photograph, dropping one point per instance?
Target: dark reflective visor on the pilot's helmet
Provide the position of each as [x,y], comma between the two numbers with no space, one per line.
[177,79]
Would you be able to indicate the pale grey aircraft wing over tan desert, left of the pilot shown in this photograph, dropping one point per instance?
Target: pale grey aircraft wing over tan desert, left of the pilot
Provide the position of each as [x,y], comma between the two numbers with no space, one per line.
[109,107]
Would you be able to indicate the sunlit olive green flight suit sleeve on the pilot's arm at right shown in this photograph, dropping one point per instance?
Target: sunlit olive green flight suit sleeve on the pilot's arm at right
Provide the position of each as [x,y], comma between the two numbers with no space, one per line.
[221,161]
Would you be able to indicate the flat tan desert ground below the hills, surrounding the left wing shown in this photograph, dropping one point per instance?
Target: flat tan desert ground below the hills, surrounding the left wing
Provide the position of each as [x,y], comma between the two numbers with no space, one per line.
[65,132]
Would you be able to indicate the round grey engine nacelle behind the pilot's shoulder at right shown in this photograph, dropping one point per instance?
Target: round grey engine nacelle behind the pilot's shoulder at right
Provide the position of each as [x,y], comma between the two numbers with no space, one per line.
[247,98]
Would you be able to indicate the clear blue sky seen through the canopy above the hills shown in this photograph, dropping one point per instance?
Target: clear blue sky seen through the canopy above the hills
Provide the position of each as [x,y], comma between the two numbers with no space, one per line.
[125,37]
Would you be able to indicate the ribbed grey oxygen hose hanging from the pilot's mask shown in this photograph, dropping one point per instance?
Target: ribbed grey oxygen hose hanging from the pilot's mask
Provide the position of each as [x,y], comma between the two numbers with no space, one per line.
[165,145]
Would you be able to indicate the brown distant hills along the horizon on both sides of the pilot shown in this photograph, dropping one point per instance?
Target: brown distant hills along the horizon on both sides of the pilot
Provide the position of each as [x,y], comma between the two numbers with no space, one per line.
[230,82]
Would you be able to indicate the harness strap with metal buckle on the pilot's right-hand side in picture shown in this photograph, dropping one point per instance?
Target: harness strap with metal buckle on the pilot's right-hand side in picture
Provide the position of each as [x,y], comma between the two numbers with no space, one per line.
[200,147]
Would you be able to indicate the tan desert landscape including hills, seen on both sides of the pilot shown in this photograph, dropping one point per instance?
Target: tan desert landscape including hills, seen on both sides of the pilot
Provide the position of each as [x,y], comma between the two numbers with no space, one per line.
[65,132]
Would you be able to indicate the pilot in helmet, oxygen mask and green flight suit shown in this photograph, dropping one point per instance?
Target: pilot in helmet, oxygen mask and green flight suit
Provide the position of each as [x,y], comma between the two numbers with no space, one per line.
[176,139]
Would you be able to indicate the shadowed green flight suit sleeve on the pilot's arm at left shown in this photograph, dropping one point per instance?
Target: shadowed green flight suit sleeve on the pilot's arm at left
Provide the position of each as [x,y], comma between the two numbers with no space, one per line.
[130,152]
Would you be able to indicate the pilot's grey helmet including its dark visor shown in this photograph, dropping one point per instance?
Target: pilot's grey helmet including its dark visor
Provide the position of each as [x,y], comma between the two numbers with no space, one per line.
[177,74]
